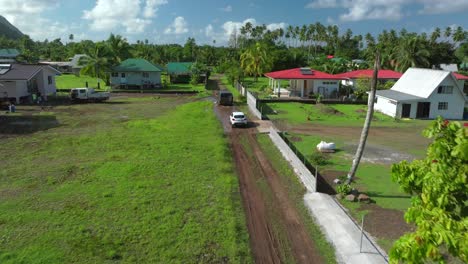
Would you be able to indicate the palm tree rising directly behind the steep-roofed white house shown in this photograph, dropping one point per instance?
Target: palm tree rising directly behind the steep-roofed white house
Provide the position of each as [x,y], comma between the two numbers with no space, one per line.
[411,52]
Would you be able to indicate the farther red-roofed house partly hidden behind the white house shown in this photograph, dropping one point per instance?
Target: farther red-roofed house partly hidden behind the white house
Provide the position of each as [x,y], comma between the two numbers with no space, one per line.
[349,78]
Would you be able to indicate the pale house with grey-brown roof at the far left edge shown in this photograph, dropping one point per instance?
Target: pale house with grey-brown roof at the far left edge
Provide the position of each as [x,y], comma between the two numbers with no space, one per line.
[20,81]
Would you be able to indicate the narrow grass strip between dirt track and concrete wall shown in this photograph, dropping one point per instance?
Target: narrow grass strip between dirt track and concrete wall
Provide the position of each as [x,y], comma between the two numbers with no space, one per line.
[296,193]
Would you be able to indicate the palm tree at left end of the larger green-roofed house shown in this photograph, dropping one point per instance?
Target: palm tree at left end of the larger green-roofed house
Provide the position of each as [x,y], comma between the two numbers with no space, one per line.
[97,63]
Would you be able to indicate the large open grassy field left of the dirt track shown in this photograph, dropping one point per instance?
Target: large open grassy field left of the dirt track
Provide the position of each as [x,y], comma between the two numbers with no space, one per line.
[114,183]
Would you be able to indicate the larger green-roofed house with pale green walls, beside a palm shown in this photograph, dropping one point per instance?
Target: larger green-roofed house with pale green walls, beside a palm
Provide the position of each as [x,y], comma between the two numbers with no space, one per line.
[136,73]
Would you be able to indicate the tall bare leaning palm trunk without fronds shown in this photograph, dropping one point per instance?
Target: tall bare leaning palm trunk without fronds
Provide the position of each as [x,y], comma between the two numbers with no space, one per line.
[367,123]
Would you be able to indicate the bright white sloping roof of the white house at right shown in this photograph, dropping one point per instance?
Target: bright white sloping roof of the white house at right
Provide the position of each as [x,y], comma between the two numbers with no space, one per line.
[420,82]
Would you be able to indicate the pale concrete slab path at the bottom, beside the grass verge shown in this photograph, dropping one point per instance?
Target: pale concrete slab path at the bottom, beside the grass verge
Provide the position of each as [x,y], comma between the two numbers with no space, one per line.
[342,232]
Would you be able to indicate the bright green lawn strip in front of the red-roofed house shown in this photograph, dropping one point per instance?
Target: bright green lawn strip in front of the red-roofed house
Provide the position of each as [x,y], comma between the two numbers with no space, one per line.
[332,115]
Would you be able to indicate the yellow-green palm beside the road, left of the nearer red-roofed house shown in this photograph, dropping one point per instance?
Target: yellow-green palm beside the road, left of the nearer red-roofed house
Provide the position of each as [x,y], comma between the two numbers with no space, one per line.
[255,60]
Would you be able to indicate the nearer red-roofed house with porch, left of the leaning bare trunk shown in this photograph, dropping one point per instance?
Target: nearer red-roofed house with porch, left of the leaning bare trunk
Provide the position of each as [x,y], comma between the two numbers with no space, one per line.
[304,82]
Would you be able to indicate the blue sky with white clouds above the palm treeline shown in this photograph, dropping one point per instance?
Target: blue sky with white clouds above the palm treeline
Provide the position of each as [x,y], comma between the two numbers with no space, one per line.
[173,21]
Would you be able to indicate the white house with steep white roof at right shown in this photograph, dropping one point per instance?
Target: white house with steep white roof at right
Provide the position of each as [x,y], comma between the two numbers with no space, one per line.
[423,93]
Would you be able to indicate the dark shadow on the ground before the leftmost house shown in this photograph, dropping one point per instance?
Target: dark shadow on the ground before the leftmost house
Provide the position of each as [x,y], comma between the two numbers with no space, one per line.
[19,124]
